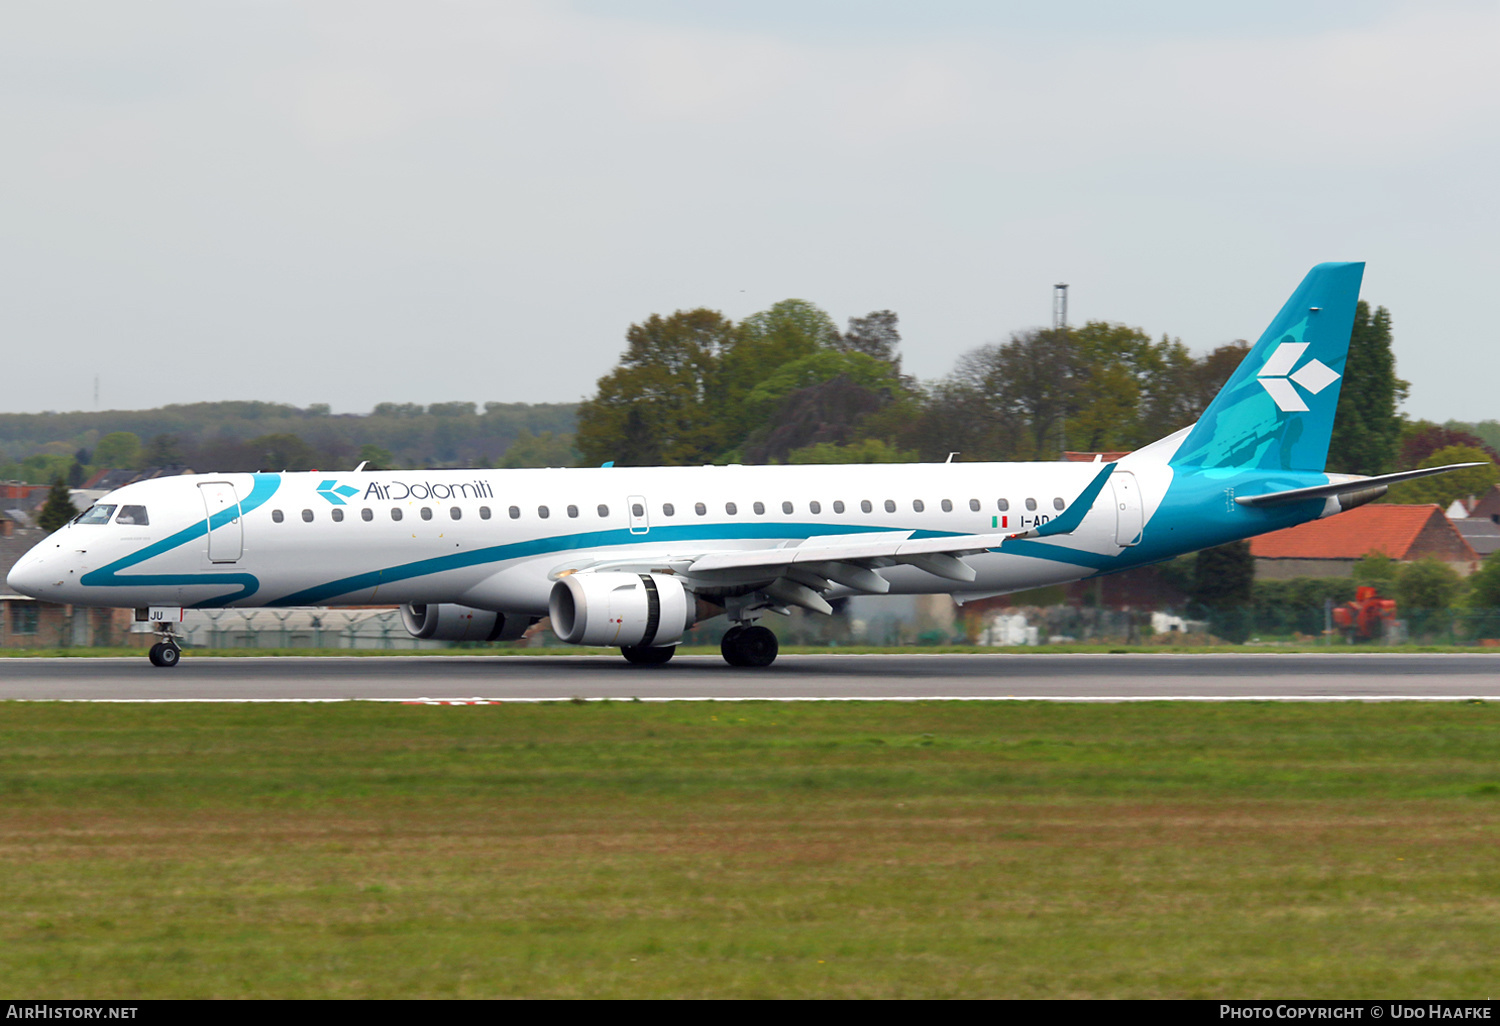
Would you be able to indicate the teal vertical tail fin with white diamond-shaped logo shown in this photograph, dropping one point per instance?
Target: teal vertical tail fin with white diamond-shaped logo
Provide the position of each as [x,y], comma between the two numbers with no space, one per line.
[1277,410]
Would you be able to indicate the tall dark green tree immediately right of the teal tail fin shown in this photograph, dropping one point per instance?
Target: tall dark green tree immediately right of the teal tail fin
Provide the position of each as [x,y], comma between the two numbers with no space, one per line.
[1367,428]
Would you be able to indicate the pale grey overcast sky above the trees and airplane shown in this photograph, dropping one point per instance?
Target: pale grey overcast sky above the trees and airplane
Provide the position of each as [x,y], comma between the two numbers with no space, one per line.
[370,202]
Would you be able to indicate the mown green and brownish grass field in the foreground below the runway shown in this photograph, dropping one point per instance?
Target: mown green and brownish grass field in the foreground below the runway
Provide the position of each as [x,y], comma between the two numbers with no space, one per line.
[751,850]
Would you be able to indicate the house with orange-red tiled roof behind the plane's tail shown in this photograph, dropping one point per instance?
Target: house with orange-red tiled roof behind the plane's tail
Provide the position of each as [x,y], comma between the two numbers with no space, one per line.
[1331,548]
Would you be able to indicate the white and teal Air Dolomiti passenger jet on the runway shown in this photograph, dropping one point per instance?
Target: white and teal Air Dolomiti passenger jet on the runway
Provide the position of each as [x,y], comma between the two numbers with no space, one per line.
[635,557]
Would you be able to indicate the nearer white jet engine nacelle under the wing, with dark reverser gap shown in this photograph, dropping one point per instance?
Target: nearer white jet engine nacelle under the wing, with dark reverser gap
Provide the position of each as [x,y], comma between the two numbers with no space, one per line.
[619,608]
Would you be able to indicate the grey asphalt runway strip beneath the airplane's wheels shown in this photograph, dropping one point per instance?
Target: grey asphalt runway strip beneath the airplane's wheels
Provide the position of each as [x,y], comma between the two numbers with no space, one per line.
[521,679]
